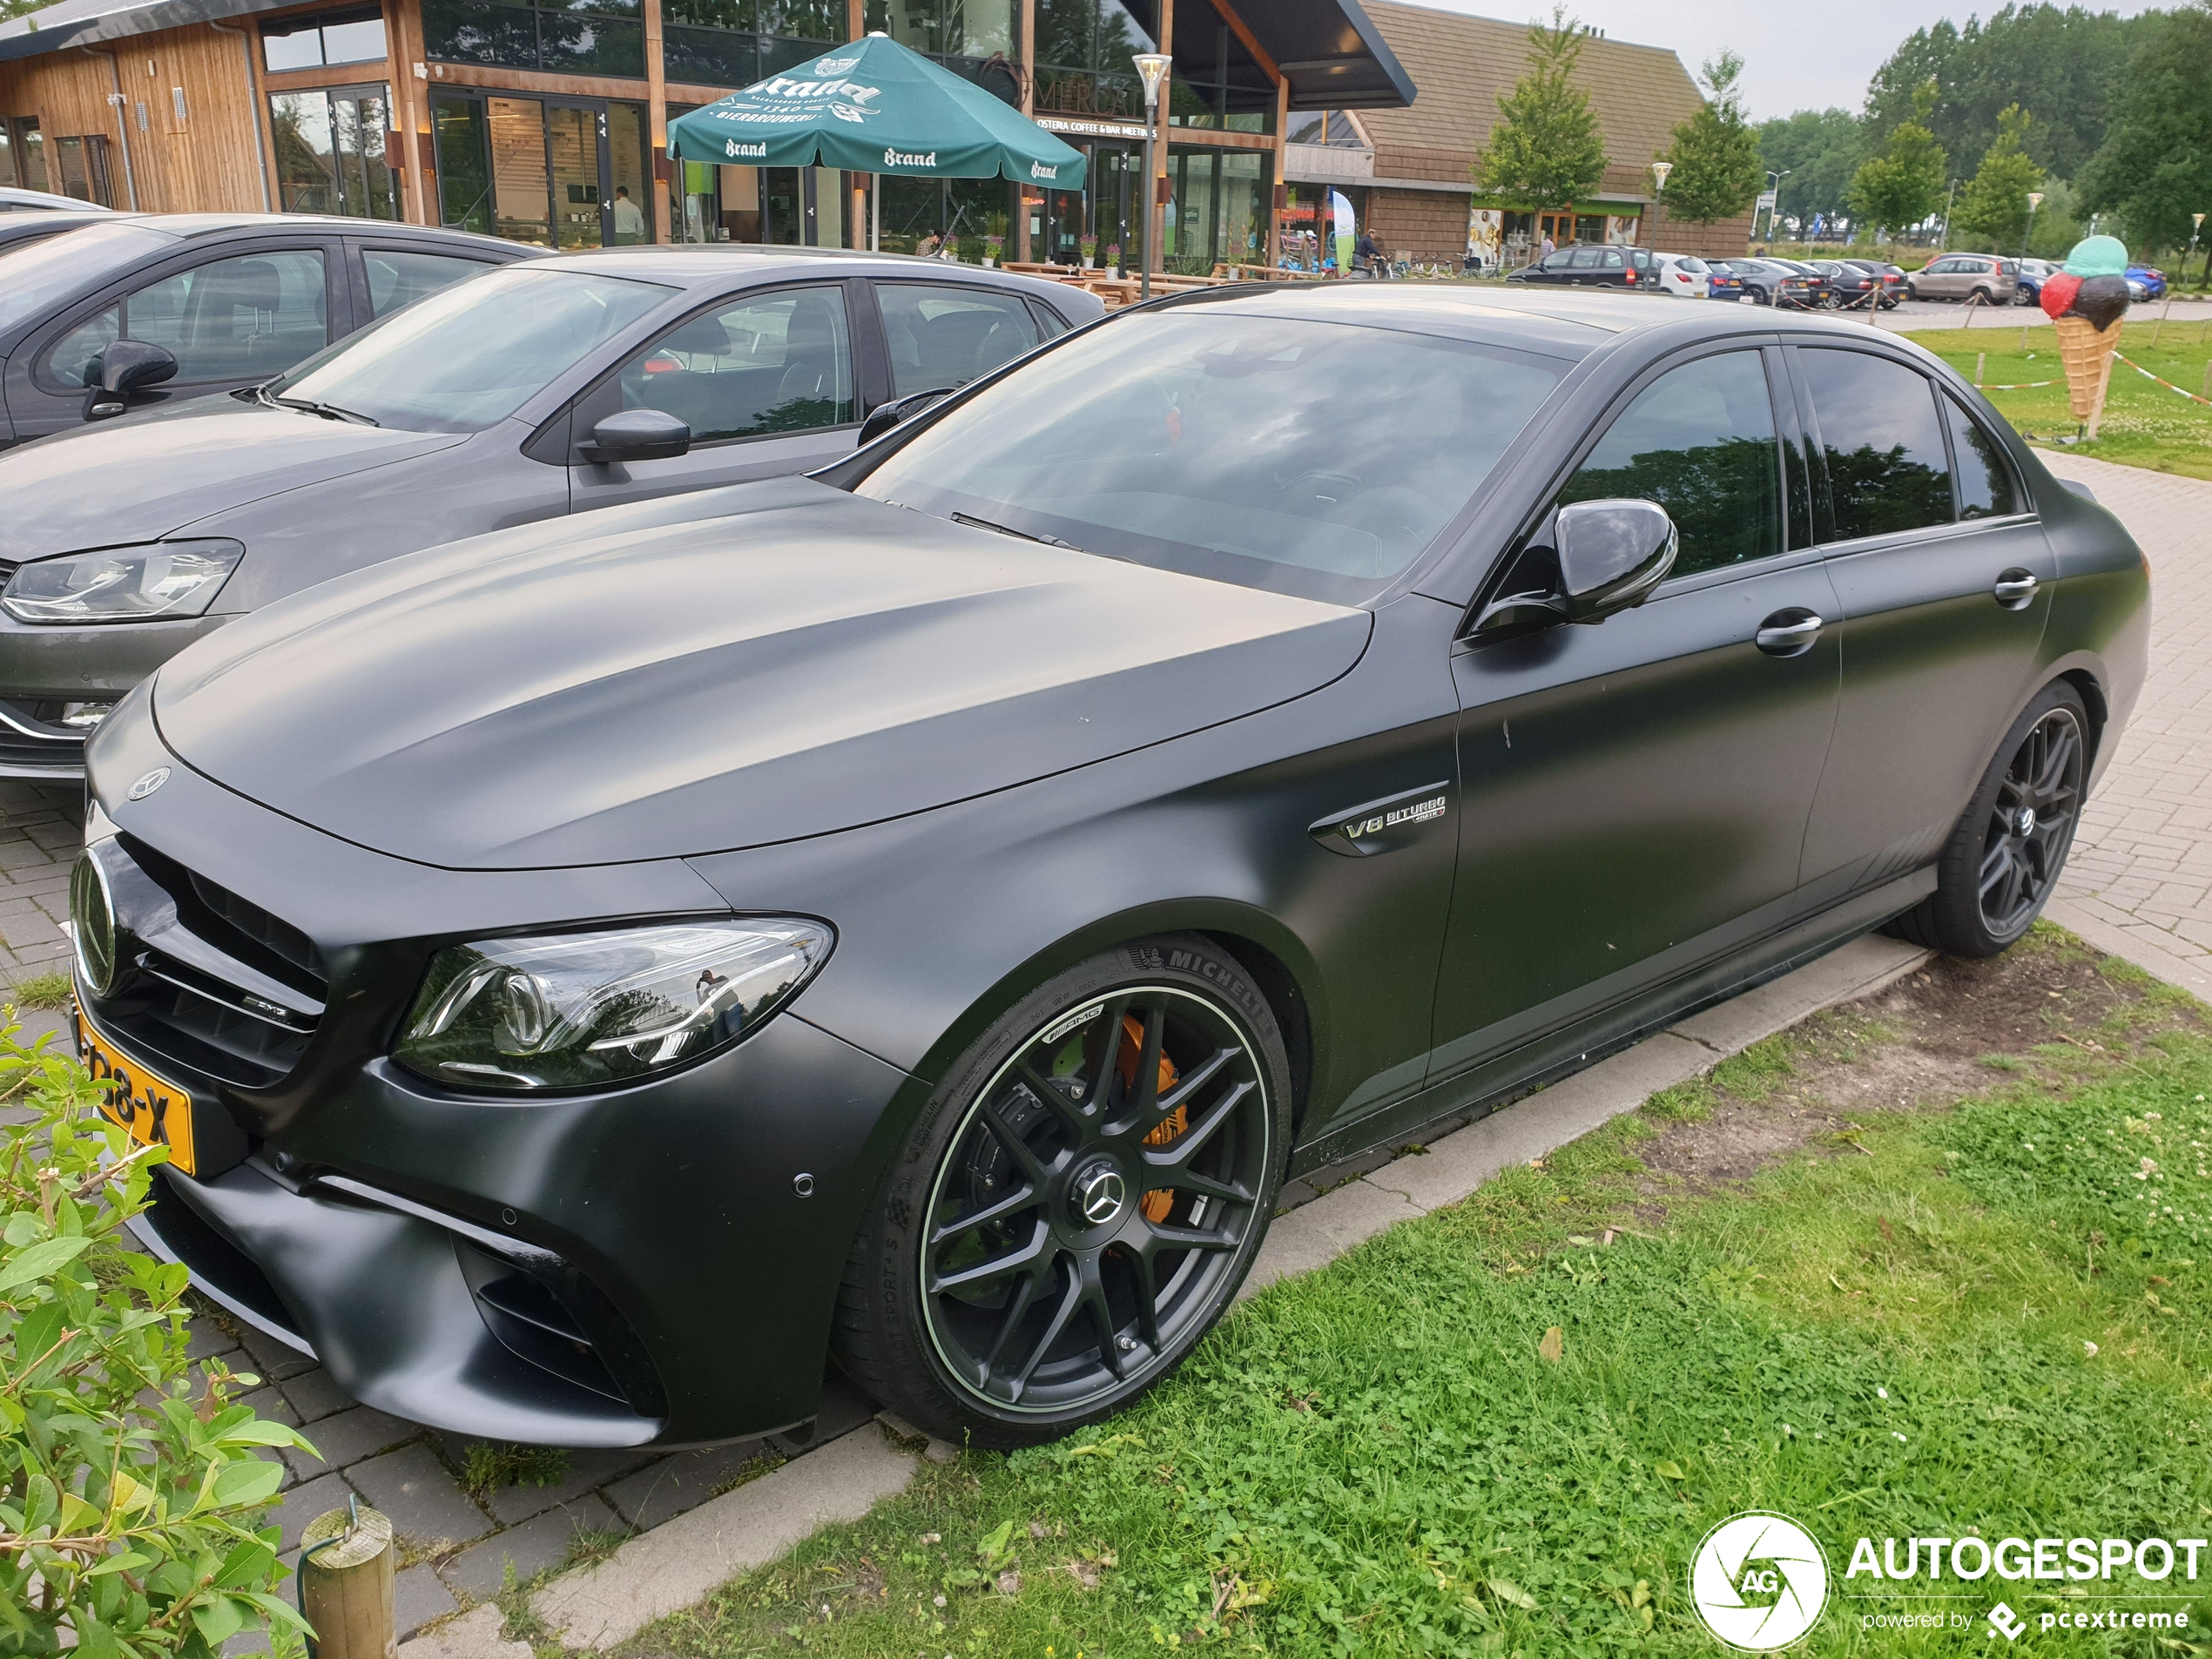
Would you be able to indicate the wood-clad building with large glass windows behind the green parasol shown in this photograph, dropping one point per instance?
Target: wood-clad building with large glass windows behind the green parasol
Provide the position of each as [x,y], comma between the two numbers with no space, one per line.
[547,121]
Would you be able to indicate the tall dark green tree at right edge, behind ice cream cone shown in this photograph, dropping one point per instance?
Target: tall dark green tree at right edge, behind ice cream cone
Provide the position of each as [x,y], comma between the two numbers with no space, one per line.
[2156,167]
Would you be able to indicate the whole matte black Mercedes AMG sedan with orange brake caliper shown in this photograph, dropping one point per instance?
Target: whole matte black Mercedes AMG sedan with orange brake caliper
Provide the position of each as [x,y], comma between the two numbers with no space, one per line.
[921,912]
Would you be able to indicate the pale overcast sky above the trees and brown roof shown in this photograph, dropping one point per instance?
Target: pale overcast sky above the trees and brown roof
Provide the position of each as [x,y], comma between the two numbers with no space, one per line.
[1795,56]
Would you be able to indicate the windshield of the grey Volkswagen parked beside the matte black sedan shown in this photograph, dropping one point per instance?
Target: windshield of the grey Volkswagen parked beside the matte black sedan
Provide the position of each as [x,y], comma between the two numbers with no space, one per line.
[474,353]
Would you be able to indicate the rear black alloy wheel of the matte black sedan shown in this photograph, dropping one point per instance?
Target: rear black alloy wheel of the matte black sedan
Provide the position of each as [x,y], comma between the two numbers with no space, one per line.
[2010,848]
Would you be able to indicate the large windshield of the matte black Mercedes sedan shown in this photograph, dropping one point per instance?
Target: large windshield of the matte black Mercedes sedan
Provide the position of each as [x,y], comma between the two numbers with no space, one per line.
[1275,452]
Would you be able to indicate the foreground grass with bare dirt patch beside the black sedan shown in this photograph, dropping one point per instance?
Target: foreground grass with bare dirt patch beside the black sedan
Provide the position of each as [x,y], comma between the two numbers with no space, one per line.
[1932,1266]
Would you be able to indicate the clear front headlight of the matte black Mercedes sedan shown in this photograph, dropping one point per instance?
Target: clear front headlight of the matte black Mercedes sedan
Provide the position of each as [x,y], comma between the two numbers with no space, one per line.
[596,1010]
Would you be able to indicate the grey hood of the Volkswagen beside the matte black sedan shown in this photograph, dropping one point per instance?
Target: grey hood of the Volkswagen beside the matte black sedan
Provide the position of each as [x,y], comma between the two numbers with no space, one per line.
[182,466]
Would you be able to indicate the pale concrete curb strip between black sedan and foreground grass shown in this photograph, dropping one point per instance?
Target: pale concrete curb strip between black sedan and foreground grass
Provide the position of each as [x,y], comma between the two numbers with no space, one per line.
[680,1563]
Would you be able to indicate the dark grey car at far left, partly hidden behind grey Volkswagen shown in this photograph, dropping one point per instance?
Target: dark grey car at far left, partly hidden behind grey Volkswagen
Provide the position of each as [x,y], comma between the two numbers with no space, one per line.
[202,302]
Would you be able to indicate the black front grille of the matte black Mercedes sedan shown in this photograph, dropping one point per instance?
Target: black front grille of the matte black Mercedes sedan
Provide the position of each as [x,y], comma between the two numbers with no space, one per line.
[209,979]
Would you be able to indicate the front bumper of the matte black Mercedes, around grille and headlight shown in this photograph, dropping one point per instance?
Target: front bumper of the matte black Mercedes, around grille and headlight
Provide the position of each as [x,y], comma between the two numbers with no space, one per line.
[638,1266]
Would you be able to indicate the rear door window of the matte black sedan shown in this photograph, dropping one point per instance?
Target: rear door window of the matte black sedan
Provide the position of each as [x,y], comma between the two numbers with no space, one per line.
[1886,457]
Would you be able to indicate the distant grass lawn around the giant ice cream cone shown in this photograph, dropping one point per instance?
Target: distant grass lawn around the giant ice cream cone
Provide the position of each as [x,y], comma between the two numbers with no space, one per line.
[2145,426]
